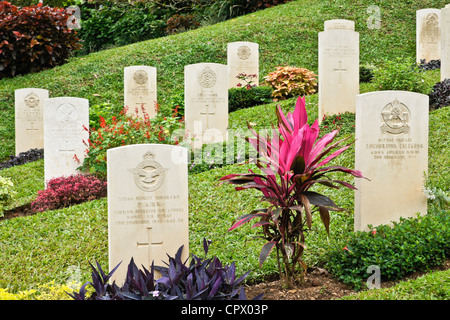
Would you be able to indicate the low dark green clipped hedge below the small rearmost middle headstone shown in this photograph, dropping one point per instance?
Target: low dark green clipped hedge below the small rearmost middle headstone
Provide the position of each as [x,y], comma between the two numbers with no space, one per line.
[240,98]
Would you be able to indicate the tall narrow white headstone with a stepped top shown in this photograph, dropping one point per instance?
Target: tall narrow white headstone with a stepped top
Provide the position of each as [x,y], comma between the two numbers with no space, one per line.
[338,68]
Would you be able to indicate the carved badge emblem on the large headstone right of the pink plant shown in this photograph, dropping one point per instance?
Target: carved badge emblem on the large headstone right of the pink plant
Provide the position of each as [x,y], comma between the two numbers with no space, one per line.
[396,118]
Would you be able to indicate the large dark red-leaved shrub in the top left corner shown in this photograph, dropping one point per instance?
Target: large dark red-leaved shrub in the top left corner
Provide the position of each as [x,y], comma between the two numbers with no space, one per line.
[34,38]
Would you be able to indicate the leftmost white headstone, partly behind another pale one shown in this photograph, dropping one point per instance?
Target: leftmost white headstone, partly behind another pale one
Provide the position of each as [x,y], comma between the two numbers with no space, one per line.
[29,110]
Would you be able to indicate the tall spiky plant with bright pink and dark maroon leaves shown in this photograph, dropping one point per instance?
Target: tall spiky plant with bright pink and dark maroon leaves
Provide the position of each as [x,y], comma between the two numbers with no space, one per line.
[292,160]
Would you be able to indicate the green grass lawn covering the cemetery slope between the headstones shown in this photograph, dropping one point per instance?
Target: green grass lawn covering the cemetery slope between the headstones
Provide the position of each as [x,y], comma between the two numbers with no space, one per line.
[47,246]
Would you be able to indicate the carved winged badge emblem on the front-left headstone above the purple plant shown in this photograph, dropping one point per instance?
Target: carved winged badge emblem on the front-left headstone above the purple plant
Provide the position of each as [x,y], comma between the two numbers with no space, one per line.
[148,175]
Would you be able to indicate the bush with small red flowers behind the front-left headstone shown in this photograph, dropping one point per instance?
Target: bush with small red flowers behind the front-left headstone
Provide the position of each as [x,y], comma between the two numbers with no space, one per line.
[126,129]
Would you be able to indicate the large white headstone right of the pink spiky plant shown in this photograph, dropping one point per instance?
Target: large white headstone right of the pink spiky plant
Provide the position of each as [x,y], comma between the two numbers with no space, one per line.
[392,151]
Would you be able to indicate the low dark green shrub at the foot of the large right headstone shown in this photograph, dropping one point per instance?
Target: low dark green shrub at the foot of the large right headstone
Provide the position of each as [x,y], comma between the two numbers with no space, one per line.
[410,245]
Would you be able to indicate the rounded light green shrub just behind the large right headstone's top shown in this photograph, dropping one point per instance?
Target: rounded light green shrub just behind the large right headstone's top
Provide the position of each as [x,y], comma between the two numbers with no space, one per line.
[401,74]
